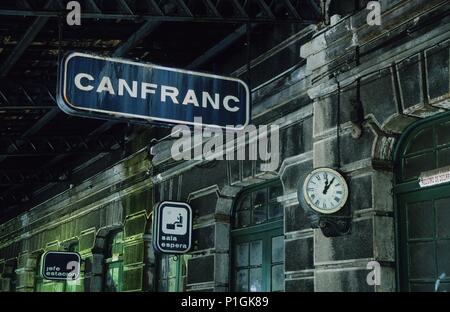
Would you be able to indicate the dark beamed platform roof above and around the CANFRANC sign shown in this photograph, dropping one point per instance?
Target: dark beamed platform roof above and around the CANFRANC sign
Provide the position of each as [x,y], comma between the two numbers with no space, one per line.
[38,143]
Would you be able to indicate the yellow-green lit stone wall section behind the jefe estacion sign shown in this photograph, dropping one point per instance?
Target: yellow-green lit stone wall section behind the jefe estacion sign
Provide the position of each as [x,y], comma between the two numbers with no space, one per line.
[117,198]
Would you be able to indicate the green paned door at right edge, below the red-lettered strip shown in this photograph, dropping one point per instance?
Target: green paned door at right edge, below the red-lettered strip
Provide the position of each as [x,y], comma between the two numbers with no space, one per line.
[425,239]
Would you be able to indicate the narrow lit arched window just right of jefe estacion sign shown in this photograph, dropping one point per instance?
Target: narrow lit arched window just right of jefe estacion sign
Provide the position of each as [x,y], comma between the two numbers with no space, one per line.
[114,263]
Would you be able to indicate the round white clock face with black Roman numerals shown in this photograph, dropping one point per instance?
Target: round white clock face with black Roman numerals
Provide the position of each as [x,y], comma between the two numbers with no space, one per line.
[325,190]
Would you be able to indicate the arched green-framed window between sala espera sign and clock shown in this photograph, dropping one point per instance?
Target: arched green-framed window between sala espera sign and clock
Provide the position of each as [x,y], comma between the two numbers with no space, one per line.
[258,240]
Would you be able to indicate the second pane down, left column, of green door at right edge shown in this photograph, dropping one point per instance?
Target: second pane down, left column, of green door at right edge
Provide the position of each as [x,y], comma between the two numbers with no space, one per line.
[421,260]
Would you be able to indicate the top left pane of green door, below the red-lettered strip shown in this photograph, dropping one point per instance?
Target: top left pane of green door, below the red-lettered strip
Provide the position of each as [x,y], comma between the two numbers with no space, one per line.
[420,220]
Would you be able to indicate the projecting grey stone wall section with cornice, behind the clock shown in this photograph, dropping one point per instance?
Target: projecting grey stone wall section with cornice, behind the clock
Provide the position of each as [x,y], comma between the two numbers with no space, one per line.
[391,73]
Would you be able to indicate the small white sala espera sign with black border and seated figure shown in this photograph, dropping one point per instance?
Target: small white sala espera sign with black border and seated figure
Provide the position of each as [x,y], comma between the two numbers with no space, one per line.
[172,227]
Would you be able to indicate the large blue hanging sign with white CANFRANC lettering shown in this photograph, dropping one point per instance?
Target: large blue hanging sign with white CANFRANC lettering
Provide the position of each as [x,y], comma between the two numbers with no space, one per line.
[111,88]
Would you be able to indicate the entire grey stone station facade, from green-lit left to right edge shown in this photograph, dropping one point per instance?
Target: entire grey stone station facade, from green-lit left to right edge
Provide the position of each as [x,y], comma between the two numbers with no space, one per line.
[352,91]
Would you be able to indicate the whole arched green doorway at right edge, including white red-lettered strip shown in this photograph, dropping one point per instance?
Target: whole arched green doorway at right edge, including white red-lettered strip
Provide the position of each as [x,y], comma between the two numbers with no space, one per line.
[423,206]
